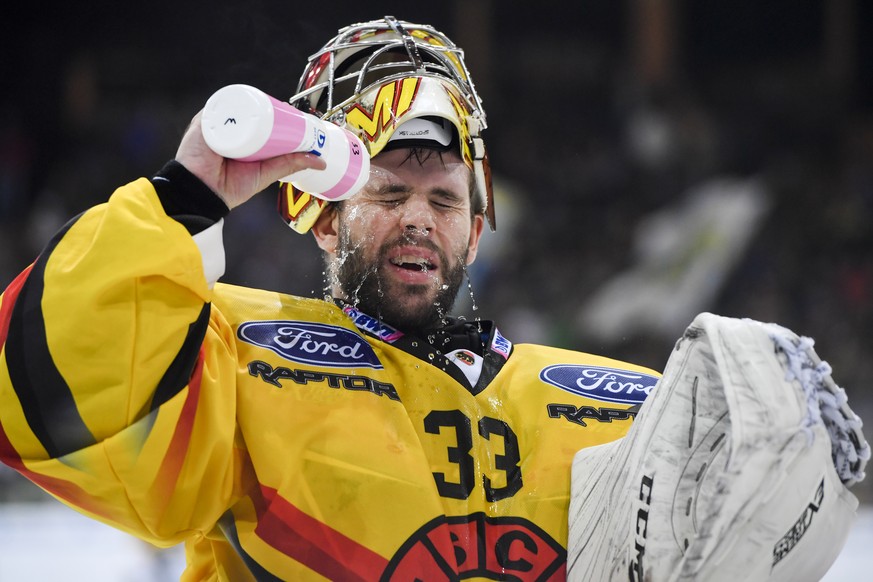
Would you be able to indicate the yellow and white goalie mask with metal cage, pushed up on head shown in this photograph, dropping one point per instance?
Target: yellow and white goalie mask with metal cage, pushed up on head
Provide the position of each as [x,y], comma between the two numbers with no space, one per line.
[393,84]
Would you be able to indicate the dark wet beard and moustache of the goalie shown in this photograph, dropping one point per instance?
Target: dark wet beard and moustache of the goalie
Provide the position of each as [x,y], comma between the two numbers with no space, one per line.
[401,305]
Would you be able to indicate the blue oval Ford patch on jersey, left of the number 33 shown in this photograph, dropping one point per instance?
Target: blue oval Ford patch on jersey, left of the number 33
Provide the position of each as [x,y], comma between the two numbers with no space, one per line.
[316,344]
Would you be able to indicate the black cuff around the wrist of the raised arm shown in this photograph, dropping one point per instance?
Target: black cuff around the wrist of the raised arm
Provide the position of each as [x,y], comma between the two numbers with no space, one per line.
[186,199]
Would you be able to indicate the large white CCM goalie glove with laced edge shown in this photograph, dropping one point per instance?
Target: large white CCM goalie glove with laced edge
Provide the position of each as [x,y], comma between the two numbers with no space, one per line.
[736,468]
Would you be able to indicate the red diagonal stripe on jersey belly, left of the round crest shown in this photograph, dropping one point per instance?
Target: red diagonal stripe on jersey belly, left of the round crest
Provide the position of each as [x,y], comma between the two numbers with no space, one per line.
[315,544]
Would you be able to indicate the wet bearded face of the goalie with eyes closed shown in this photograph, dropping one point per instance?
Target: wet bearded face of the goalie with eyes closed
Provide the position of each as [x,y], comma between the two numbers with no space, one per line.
[400,246]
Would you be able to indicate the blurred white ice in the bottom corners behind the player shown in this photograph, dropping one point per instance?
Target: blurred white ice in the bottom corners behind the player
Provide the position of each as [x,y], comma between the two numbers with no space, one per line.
[47,541]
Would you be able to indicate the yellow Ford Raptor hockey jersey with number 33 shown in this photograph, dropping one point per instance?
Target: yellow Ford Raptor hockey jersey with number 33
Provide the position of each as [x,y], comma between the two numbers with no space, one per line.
[287,438]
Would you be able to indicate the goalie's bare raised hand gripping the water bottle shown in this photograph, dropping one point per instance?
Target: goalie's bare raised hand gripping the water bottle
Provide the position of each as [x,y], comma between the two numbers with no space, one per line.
[234,181]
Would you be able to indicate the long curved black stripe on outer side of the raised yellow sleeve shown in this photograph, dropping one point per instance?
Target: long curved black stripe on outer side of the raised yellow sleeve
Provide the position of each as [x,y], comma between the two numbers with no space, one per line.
[45,397]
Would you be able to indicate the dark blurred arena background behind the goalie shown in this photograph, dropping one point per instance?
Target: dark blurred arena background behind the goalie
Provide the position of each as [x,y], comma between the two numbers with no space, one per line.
[653,159]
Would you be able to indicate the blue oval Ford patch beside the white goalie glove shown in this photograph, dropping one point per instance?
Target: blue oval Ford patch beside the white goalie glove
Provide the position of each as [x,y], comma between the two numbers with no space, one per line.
[600,383]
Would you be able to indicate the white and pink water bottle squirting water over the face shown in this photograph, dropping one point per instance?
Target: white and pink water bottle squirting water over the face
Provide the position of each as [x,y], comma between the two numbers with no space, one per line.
[244,123]
